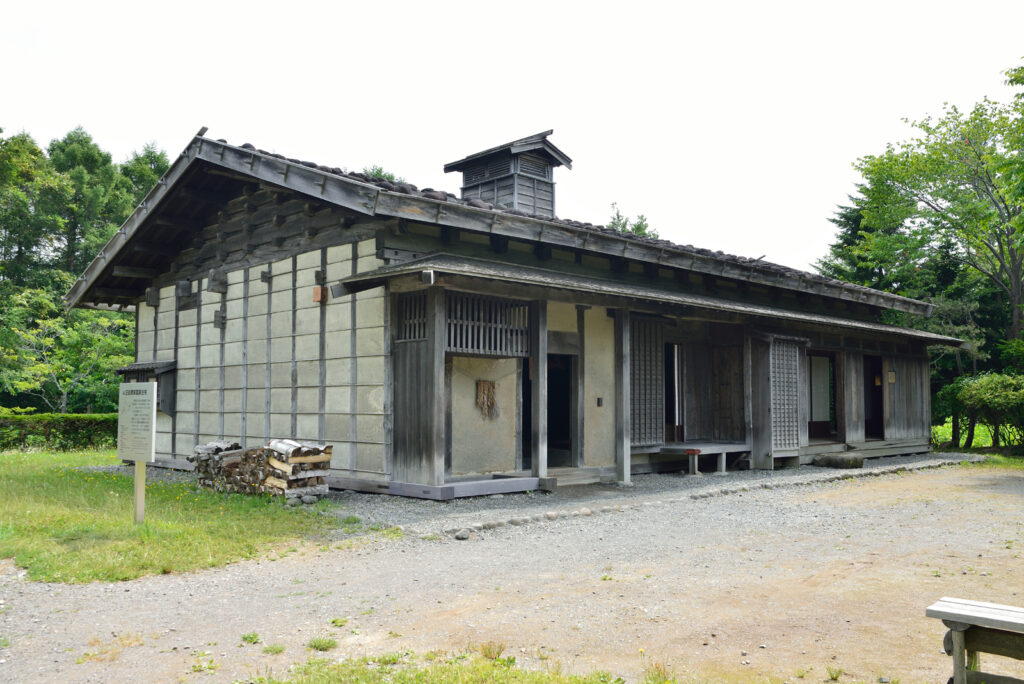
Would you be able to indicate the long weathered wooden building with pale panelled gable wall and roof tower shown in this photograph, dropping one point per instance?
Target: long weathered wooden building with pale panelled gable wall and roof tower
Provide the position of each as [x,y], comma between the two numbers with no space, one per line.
[453,347]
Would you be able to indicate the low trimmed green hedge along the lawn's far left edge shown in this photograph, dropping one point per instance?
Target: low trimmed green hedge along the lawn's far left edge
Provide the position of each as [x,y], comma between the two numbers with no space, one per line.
[59,432]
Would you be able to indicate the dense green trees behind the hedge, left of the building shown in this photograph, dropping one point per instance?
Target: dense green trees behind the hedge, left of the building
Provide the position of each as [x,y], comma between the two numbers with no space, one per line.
[56,212]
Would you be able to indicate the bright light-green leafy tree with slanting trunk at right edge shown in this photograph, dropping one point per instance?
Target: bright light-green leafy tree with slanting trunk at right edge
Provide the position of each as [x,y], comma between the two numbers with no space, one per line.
[955,187]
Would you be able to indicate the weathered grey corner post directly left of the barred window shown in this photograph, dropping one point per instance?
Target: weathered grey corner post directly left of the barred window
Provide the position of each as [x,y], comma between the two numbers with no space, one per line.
[437,401]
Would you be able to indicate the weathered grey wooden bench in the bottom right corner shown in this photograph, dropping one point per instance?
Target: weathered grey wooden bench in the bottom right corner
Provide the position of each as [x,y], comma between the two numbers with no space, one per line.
[977,628]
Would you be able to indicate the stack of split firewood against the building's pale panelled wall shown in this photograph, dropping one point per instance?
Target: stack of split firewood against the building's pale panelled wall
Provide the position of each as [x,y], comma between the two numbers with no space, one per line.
[283,467]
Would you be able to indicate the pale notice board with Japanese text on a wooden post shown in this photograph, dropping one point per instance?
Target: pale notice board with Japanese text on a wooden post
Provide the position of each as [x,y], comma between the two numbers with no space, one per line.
[138,434]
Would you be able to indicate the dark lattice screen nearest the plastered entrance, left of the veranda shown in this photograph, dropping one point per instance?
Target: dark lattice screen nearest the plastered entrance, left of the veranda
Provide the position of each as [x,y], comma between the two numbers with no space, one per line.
[647,382]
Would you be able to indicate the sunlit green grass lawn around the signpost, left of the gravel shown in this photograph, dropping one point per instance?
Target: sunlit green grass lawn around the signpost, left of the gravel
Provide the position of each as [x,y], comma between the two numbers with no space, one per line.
[65,525]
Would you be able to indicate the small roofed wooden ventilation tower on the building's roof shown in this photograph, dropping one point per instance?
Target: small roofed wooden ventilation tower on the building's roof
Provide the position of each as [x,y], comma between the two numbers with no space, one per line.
[516,176]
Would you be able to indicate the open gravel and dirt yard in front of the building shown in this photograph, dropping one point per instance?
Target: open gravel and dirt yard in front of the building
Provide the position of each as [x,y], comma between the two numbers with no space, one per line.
[765,586]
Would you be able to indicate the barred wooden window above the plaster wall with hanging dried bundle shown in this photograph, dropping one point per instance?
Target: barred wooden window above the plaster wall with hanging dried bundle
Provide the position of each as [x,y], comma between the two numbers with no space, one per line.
[487,326]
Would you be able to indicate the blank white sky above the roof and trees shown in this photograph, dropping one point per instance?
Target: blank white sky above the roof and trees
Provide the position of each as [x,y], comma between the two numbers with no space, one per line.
[733,126]
